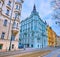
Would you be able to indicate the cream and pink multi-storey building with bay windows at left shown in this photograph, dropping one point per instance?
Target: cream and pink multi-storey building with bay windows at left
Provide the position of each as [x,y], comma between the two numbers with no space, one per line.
[10,11]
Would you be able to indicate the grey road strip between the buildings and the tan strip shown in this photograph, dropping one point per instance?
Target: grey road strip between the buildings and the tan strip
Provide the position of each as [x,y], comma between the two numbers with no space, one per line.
[21,52]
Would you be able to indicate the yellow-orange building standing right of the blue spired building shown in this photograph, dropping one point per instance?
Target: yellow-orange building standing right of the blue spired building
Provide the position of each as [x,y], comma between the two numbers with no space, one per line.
[51,37]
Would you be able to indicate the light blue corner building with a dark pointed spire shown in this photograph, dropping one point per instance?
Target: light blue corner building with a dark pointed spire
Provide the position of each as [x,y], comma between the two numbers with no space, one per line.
[33,31]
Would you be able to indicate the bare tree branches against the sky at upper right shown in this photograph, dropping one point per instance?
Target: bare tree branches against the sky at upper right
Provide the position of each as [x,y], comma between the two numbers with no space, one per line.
[56,10]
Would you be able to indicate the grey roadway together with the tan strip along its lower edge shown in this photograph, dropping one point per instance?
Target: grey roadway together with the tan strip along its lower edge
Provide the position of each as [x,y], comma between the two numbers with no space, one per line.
[29,51]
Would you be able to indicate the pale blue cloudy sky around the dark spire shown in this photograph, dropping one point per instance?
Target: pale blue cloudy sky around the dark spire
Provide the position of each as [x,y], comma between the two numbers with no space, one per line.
[45,12]
